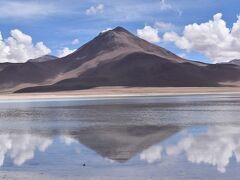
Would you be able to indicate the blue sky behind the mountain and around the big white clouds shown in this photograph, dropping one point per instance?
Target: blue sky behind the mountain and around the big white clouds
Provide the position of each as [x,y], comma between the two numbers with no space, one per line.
[58,22]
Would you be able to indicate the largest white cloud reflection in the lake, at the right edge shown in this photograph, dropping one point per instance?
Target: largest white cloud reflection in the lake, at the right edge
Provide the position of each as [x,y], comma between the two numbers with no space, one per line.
[215,147]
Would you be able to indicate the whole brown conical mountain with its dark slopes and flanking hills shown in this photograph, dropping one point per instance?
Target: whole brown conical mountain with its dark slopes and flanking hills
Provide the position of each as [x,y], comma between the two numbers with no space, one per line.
[115,58]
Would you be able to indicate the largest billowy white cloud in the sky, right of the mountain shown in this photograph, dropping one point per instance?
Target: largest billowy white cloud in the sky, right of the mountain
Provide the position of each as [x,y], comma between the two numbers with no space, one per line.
[213,39]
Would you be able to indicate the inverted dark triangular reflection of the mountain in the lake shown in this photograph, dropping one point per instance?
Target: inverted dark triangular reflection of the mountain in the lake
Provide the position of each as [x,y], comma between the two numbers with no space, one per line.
[122,143]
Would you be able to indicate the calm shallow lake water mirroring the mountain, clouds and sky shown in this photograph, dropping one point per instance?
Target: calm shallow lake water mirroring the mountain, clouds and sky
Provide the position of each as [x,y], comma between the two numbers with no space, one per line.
[172,137]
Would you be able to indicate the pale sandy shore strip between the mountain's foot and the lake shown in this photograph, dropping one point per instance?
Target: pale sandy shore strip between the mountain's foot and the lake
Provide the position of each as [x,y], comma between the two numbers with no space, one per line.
[102,92]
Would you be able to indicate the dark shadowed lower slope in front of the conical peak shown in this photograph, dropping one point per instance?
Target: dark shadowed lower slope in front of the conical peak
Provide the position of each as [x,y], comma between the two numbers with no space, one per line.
[144,70]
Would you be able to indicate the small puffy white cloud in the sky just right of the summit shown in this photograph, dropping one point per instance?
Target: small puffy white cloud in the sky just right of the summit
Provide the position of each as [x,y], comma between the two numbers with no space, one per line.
[149,34]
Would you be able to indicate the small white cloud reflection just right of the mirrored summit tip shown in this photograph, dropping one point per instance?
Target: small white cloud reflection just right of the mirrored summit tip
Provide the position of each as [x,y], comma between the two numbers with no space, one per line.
[151,154]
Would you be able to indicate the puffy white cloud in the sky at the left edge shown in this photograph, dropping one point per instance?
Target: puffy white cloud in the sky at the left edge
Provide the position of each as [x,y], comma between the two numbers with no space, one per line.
[19,48]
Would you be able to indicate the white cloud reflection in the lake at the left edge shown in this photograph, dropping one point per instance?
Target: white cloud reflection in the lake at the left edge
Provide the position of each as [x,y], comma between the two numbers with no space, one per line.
[21,147]
